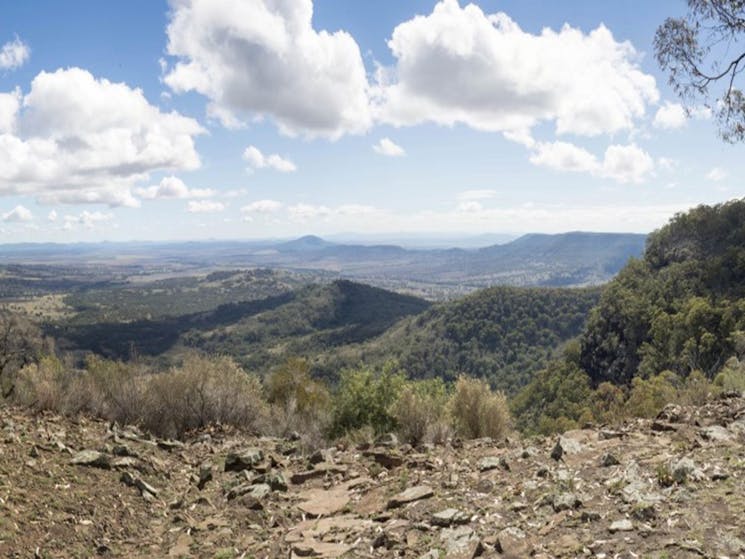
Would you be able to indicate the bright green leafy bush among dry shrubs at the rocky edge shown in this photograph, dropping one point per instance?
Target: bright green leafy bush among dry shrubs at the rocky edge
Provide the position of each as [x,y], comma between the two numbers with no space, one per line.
[365,398]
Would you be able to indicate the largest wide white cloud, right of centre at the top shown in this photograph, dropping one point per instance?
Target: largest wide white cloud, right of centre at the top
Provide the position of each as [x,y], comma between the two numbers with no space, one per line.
[459,65]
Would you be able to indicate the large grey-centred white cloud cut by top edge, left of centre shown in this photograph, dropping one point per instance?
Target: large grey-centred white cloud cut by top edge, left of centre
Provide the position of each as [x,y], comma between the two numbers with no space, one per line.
[264,58]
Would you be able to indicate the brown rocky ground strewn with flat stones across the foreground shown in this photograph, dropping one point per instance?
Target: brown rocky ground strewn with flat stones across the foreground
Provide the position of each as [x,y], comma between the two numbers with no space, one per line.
[670,487]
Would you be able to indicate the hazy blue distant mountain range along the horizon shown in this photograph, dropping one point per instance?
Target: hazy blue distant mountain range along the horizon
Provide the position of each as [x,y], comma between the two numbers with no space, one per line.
[569,259]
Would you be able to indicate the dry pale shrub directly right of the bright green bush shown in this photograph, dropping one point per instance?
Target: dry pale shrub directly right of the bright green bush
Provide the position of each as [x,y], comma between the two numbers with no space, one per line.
[420,412]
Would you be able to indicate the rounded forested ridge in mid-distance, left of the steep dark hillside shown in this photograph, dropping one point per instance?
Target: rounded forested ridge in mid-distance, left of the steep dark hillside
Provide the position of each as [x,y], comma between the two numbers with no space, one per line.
[501,334]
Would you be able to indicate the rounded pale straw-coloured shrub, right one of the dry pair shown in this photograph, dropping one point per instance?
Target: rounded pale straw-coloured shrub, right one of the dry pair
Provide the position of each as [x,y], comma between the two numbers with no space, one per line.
[477,411]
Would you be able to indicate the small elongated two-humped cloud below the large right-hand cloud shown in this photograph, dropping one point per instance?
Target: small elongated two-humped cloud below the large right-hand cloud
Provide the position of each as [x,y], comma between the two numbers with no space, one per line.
[622,163]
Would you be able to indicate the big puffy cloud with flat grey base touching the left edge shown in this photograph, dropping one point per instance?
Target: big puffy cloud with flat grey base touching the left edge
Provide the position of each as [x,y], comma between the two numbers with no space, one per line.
[80,139]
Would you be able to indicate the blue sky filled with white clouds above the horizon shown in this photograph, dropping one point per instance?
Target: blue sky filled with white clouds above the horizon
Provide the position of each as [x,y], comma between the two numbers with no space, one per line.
[246,119]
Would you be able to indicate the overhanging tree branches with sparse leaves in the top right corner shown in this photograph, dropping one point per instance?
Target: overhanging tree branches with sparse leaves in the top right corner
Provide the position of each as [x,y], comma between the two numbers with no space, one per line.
[703,50]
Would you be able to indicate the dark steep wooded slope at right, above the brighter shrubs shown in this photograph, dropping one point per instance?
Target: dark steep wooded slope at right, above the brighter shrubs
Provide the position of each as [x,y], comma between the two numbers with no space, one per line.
[679,307]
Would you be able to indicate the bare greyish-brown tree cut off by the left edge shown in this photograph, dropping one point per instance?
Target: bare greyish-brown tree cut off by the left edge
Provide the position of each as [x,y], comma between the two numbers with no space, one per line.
[20,344]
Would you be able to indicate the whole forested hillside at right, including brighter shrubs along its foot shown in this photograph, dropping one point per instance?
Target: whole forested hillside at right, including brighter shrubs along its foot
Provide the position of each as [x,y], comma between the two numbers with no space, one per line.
[669,328]
